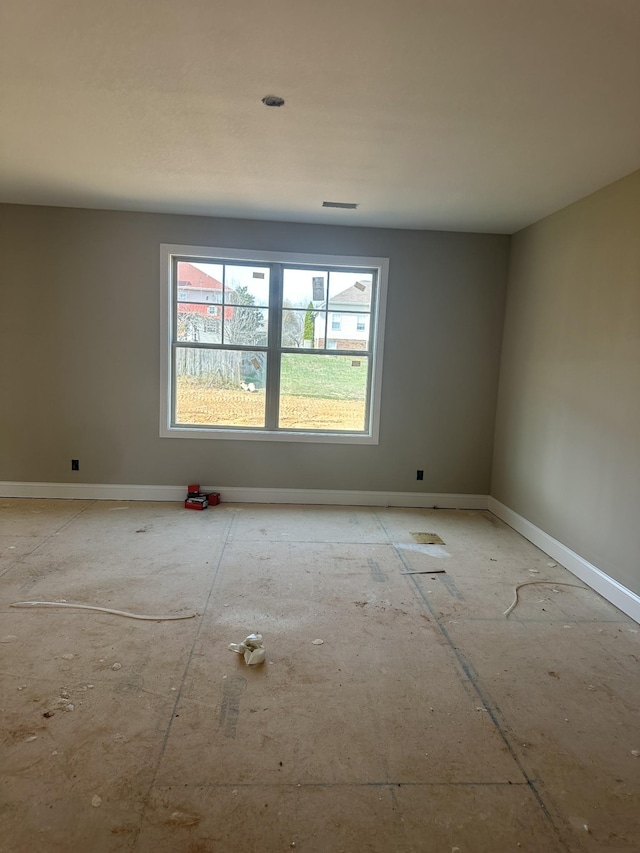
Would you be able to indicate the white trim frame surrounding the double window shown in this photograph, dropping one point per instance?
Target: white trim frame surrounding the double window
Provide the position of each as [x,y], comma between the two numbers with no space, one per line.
[209,253]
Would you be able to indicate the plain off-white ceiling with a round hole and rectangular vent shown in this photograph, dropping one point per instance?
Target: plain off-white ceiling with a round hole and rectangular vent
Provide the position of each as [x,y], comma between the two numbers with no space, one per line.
[474,115]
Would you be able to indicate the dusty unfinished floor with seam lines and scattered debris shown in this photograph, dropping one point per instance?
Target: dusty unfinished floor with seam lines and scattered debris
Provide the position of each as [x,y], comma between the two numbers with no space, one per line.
[426,721]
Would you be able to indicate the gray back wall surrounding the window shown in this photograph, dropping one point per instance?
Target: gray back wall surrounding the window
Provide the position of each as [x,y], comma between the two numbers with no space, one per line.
[79,356]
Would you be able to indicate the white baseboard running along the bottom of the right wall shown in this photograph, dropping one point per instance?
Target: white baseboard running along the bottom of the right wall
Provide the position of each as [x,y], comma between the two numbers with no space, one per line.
[624,599]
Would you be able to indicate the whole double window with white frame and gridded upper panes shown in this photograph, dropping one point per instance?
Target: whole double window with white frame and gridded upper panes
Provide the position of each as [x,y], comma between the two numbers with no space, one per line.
[260,363]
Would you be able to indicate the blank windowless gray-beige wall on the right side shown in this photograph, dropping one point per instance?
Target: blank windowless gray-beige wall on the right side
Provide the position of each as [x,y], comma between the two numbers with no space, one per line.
[567,450]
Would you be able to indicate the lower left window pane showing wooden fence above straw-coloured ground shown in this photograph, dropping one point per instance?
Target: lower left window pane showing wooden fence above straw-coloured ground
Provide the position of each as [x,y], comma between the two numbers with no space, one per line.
[220,387]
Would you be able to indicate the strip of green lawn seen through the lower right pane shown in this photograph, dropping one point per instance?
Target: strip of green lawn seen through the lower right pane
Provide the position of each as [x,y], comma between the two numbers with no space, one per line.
[326,376]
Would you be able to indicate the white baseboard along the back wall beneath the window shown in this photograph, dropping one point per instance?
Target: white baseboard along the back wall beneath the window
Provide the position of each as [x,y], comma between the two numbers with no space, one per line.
[239,494]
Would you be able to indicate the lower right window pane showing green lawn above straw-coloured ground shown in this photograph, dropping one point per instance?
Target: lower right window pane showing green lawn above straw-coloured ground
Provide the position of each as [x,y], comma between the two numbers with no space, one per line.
[323,392]
